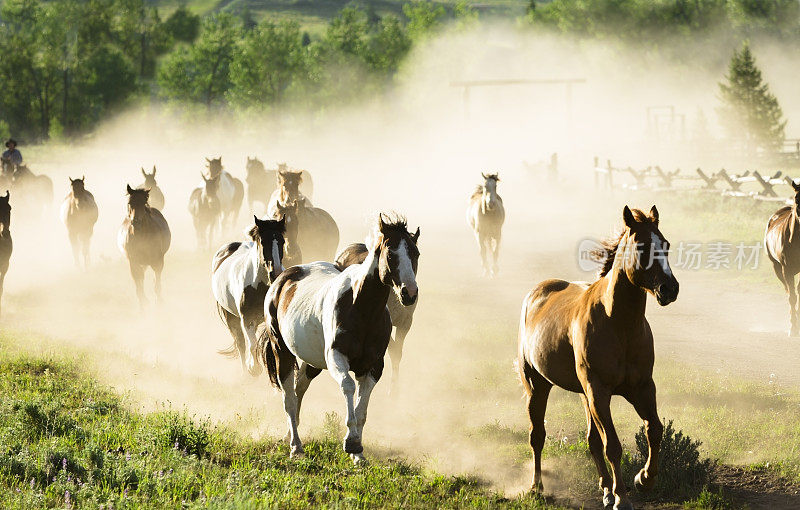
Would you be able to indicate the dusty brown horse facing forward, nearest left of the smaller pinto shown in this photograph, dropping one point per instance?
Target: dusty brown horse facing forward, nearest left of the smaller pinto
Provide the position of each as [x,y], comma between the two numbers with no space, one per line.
[144,239]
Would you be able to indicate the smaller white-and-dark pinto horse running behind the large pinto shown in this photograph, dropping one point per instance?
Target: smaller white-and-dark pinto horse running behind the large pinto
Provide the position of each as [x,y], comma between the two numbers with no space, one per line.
[241,273]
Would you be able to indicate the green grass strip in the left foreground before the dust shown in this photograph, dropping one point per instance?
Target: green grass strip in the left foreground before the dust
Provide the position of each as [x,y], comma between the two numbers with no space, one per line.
[67,442]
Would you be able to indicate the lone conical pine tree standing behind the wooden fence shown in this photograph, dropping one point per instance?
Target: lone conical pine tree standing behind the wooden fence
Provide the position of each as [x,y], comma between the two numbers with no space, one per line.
[750,112]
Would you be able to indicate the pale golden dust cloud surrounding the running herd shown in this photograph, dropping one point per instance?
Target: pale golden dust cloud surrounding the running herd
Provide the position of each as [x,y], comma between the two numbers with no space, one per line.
[418,150]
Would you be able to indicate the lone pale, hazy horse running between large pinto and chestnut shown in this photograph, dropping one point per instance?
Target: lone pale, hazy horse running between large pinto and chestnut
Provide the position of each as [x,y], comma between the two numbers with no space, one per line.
[485,216]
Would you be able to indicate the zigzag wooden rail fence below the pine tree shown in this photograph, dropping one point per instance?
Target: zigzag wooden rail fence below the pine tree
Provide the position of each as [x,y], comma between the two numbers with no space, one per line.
[654,178]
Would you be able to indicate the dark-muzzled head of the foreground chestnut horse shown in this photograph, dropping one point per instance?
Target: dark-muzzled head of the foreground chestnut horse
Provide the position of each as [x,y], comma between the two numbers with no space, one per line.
[644,255]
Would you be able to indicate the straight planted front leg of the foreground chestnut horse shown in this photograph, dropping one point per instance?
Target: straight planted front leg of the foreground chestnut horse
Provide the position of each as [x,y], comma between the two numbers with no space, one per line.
[600,406]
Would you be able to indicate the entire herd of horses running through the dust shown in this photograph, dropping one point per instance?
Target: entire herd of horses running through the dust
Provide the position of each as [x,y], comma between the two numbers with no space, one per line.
[295,307]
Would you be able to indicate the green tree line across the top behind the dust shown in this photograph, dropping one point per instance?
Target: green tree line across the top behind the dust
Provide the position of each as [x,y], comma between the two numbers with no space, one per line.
[67,64]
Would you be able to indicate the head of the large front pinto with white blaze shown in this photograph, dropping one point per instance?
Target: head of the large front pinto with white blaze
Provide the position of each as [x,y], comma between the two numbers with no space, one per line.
[398,257]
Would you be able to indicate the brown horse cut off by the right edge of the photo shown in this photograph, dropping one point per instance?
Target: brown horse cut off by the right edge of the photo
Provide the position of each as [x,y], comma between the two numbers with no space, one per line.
[782,243]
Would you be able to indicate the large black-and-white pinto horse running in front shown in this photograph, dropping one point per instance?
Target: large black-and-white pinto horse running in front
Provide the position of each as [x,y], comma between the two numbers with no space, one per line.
[325,318]
